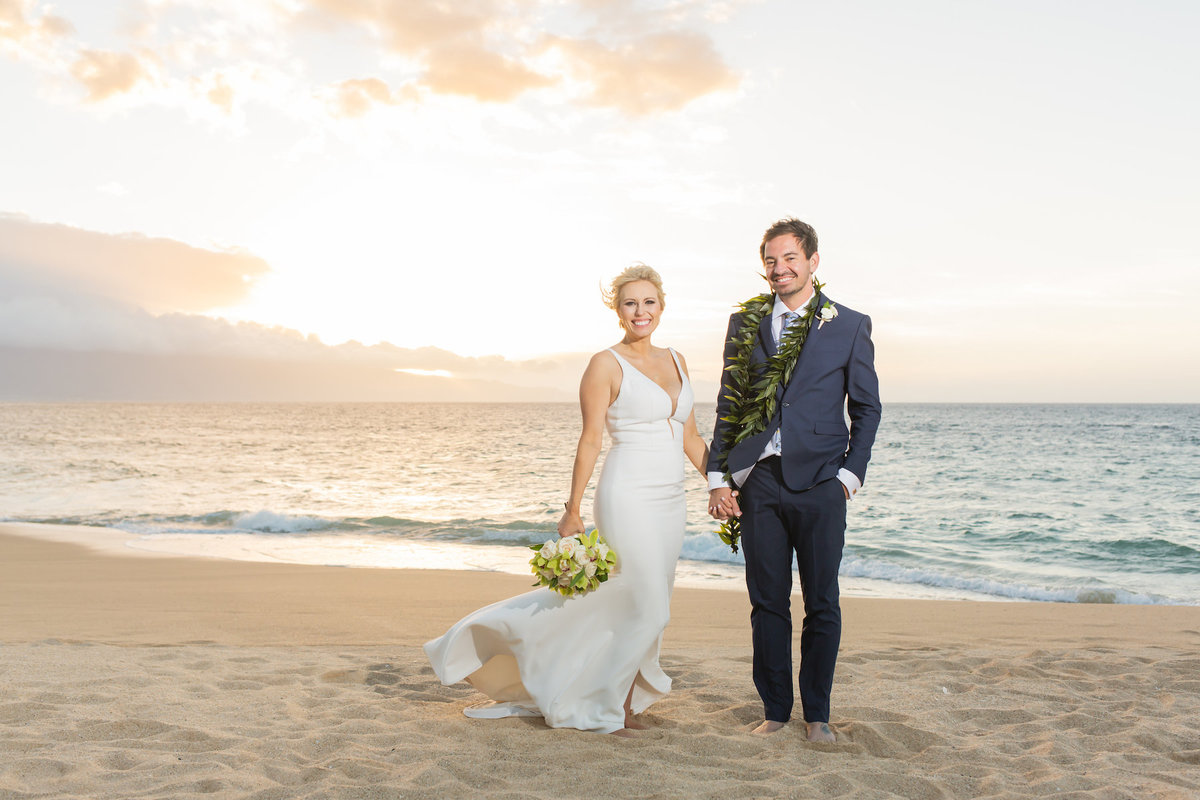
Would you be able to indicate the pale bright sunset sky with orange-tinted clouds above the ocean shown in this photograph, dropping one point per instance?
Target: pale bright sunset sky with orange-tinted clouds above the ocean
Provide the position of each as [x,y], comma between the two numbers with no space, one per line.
[1010,189]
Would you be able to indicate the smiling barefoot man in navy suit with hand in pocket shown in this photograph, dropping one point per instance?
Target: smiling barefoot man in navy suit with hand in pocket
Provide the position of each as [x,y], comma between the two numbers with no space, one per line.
[795,478]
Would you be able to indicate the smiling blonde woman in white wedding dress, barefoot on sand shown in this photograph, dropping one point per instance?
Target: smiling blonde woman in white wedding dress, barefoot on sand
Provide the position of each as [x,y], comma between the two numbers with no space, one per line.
[592,663]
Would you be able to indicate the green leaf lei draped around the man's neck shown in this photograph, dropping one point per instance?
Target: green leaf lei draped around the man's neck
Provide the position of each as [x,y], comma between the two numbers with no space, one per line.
[752,393]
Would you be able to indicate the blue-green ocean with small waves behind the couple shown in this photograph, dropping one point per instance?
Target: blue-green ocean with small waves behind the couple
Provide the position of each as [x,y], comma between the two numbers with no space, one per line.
[1009,502]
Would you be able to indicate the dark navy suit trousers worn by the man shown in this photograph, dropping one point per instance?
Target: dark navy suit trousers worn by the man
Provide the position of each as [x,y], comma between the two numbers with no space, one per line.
[778,522]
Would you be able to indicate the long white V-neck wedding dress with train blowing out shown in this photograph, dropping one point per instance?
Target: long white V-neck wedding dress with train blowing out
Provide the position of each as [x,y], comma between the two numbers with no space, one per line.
[572,661]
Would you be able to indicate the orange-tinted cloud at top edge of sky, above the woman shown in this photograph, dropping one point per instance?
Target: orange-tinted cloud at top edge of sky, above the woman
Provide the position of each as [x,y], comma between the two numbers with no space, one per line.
[488,52]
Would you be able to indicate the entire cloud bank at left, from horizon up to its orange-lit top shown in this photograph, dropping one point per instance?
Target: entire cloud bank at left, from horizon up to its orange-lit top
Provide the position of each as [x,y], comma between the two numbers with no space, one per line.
[76,326]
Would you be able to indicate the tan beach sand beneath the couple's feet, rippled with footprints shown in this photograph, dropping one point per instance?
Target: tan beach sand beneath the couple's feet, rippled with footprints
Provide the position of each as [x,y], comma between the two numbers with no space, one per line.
[134,676]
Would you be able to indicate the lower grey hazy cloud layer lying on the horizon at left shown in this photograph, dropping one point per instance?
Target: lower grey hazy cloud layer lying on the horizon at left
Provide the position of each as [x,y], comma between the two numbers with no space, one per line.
[58,344]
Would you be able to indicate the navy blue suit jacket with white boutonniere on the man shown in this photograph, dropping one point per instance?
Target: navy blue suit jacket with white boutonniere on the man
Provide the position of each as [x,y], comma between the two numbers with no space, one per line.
[835,375]
